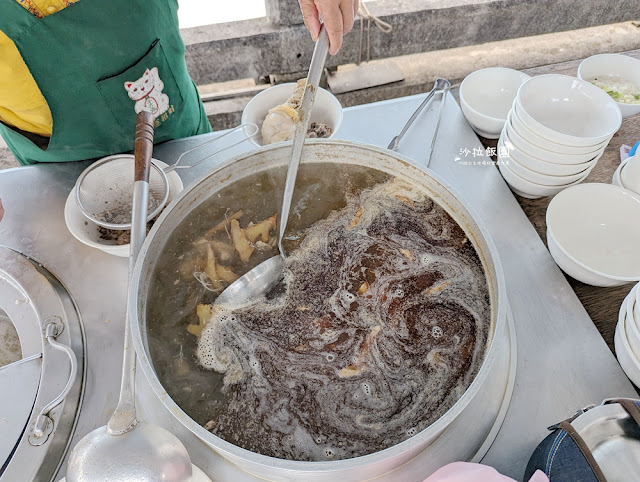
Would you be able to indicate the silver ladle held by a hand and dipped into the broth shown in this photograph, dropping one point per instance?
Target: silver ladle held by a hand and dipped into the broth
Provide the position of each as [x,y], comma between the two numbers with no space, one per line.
[266,275]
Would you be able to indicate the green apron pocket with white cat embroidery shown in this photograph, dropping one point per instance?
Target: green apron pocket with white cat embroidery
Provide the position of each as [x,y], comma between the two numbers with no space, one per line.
[149,85]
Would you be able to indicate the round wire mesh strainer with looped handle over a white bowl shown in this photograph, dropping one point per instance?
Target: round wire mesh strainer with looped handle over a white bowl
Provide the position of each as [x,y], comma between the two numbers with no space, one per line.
[104,191]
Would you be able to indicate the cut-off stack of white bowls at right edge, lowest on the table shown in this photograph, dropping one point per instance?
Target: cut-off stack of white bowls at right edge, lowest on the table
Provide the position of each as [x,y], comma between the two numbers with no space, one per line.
[627,337]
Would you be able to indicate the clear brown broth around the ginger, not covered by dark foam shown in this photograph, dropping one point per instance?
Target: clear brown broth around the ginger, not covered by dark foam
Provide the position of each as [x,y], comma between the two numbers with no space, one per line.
[174,296]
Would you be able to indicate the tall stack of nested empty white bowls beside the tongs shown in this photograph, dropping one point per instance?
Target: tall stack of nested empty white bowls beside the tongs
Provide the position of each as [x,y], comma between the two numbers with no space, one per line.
[556,131]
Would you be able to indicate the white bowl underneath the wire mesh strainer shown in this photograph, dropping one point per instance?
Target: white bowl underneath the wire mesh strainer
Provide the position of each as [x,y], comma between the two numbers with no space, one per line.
[86,231]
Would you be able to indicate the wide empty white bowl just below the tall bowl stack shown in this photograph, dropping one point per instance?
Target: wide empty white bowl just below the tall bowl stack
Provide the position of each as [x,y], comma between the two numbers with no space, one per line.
[593,233]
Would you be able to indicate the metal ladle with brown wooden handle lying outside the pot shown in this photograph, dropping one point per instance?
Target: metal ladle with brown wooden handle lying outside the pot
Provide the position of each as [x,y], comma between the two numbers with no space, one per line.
[127,449]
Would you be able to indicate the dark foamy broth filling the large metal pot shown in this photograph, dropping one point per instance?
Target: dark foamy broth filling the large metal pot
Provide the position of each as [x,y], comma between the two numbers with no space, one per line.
[380,324]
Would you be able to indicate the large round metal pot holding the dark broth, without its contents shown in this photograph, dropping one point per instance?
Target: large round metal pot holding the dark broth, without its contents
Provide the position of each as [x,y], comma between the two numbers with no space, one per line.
[479,405]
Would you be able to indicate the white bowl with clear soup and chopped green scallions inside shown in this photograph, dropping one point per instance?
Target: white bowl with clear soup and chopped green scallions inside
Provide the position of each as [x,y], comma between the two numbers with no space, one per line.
[618,75]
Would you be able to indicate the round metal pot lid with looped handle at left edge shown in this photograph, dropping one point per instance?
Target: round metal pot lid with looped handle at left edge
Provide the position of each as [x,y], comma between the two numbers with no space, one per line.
[42,360]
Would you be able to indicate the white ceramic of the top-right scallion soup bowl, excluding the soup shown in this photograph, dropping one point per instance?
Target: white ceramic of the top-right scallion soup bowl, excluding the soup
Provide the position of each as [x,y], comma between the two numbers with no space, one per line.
[623,66]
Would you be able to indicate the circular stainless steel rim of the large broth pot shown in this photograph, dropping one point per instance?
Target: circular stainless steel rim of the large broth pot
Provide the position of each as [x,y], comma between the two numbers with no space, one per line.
[327,467]
